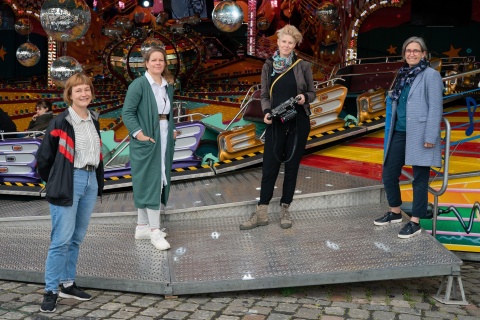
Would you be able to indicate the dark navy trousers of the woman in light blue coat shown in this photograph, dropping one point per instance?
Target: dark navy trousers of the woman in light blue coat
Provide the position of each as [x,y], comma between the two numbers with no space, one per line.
[392,169]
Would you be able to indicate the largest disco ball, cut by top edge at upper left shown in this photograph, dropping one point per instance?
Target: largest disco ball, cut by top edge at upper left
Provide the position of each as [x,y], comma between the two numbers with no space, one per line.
[65,20]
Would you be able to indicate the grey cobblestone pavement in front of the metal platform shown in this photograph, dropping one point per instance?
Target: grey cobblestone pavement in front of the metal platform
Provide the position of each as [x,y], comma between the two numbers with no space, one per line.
[396,300]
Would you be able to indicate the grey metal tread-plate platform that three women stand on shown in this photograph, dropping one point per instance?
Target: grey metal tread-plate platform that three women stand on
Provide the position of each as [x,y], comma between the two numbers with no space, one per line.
[333,239]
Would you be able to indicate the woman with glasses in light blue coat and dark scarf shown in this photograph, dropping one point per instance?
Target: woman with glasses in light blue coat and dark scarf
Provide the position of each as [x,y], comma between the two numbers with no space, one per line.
[414,135]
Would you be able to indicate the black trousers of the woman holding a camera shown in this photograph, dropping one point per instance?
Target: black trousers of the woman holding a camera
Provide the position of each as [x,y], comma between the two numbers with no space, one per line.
[283,141]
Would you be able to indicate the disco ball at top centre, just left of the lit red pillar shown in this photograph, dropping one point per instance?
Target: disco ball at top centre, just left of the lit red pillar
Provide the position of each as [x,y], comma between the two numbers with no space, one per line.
[227,16]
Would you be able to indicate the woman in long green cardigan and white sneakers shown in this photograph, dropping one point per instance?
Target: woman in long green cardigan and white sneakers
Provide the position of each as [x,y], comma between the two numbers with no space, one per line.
[148,116]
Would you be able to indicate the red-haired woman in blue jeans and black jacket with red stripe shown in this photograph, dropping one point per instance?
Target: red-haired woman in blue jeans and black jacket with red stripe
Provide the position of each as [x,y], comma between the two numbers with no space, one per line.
[70,162]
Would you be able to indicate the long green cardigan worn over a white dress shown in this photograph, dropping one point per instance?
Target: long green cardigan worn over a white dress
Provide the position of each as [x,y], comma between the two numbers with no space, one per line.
[140,112]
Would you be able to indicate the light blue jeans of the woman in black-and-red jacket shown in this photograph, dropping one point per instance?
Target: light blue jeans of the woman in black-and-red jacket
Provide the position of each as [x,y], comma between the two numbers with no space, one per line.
[69,226]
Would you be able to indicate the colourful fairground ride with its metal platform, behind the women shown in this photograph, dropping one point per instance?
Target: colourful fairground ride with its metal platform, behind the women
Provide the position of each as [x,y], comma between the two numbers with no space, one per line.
[216,51]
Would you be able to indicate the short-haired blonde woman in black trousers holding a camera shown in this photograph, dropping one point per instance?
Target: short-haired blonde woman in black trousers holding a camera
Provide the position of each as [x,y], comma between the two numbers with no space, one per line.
[284,76]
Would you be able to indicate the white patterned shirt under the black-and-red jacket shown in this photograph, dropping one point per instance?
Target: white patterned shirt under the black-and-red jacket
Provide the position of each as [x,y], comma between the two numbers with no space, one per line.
[87,141]
